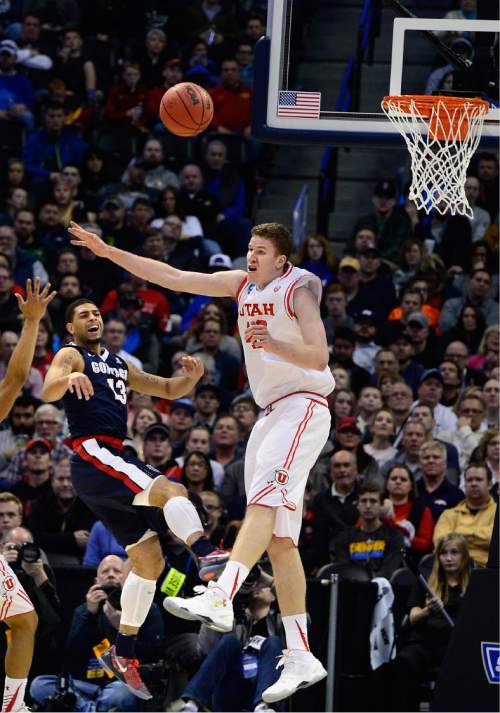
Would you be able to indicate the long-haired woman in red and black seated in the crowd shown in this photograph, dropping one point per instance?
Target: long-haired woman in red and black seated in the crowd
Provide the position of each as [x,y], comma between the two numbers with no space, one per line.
[414,519]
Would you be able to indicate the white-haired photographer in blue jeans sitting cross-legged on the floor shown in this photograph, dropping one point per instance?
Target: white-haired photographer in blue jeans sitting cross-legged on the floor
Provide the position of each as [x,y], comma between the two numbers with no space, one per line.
[95,624]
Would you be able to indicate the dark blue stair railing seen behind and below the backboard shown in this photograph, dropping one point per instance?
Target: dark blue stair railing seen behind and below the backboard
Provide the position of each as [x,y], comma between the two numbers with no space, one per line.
[348,100]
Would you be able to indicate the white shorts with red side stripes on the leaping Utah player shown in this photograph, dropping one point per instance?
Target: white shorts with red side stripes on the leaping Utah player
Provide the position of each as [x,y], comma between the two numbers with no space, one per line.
[283,447]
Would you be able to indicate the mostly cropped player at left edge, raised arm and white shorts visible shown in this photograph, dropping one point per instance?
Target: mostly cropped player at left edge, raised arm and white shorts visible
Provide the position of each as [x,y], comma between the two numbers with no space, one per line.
[16,609]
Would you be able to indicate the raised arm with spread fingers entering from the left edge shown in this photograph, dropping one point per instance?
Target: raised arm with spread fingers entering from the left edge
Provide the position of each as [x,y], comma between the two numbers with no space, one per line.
[33,309]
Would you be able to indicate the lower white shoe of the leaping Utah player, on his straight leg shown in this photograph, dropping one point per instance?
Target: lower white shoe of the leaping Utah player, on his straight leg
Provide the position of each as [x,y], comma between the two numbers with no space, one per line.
[300,670]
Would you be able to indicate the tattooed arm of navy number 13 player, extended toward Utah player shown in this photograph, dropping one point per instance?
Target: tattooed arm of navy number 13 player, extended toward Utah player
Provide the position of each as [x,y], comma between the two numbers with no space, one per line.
[173,388]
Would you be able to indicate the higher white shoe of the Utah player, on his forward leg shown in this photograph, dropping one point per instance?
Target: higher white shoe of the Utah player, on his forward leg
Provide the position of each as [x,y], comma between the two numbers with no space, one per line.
[212,606]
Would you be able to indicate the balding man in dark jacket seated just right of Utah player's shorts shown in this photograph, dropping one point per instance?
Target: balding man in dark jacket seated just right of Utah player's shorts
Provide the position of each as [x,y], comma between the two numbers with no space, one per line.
[334,509]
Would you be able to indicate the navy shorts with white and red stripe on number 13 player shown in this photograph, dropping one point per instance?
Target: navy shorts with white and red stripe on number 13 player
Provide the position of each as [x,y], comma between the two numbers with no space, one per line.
[107,481]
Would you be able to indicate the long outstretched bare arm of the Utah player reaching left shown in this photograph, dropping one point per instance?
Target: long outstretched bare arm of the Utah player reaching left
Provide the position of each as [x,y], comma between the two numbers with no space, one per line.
[219,284]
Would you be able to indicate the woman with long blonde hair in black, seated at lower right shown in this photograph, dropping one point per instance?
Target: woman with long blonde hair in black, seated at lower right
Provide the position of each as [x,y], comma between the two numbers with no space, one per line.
[396,684]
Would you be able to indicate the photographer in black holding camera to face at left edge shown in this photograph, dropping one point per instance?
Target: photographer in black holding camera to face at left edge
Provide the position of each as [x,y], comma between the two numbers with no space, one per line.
[37,580]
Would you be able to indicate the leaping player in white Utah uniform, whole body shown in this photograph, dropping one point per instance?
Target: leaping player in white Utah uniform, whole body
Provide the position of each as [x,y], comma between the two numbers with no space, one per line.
[286,355]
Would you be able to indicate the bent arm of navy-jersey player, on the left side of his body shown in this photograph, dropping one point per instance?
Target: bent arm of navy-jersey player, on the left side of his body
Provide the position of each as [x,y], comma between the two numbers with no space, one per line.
[66,374]
